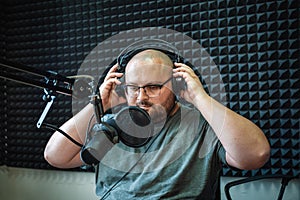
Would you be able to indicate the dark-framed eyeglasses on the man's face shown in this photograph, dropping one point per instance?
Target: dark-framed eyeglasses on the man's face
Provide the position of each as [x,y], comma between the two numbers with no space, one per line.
[152,90]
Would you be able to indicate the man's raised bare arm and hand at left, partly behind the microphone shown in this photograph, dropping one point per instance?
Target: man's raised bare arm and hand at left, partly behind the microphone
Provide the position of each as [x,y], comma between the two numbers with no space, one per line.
[60,151]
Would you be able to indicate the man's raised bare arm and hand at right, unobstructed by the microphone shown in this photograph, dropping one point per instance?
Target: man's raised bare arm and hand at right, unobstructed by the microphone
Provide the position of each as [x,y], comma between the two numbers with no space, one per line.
[246,145]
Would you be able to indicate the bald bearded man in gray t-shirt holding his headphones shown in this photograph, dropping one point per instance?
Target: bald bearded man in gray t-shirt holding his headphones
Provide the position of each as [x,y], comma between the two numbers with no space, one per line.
[177,163]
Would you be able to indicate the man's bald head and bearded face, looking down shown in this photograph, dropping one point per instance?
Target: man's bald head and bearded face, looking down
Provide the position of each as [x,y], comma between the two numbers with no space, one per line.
[142,71]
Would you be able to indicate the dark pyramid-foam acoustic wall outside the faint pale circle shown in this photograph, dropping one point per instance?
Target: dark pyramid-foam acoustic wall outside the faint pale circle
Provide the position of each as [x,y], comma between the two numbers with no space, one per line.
[254,43]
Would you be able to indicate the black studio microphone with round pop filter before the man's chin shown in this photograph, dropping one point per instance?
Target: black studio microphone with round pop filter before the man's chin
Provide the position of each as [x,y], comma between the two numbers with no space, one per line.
[131,125]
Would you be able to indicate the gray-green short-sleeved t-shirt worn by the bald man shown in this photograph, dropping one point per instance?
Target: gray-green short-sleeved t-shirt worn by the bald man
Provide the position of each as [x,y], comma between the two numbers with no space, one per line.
[181,161]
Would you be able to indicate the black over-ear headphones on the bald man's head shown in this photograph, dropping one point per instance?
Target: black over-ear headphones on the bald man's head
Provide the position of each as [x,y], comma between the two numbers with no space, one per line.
[163,46]
